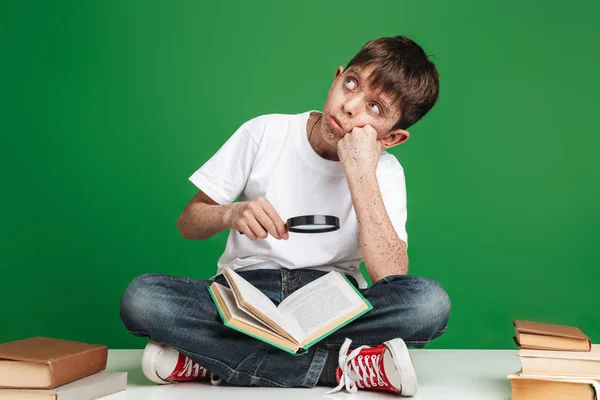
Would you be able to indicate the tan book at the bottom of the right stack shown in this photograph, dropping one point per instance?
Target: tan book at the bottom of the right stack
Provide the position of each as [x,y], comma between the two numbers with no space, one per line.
[551,388]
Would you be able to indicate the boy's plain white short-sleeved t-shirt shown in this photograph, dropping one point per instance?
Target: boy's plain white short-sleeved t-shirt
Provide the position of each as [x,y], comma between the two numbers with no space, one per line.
[270,156]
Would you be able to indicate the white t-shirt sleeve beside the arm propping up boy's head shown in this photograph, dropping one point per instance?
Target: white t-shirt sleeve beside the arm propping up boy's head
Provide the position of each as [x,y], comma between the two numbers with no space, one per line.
[393,191]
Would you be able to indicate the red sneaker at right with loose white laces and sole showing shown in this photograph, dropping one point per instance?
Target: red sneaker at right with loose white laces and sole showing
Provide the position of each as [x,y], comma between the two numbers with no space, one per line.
[386,367]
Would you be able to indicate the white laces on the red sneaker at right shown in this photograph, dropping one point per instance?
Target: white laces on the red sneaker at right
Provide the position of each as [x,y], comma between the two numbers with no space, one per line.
[355,372]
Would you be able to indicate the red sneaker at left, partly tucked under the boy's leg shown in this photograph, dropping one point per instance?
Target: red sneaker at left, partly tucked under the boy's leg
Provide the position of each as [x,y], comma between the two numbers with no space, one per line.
[163,364]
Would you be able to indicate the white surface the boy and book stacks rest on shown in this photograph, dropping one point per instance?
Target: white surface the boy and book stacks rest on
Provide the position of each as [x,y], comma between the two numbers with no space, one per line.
[442,374]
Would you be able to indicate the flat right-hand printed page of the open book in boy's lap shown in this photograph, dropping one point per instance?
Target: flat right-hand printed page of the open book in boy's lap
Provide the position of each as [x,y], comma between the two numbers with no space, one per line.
[319,303]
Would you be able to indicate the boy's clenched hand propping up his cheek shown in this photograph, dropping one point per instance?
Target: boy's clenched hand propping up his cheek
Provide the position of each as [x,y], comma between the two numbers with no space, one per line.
[359,151]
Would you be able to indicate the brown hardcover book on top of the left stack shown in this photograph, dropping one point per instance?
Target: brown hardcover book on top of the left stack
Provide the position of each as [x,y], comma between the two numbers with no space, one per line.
[45,363]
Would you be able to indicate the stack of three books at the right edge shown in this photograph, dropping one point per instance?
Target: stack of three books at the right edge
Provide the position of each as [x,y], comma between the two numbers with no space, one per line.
[558,362]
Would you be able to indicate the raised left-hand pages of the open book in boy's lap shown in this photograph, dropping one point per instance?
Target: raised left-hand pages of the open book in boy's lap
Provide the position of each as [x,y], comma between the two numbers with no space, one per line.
[260,304]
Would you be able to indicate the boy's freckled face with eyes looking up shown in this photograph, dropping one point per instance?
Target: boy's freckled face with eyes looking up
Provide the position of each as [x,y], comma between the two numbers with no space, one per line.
[352,103]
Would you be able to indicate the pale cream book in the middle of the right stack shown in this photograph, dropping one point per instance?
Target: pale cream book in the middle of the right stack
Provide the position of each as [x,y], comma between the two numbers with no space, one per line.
[561,363]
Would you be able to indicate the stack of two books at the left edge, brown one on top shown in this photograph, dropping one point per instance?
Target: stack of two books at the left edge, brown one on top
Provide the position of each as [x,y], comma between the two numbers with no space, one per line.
[42,368]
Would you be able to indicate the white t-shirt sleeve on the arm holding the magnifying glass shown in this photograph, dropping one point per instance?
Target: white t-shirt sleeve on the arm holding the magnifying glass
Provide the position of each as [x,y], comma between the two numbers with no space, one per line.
[224,176]
